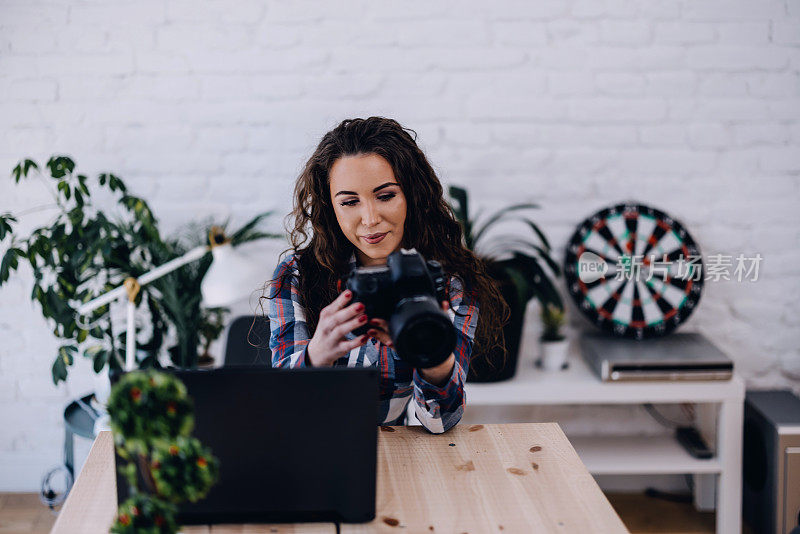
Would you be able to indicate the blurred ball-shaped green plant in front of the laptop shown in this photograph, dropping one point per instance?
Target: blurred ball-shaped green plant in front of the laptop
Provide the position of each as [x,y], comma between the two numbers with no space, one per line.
[152,417]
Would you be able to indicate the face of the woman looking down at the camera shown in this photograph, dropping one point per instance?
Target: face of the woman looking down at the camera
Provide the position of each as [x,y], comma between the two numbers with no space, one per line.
[369,205]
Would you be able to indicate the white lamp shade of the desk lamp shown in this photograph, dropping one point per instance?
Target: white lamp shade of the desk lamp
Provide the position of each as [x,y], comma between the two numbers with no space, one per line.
[231,277]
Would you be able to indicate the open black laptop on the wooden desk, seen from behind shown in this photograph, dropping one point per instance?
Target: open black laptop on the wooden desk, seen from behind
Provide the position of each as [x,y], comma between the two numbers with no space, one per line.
[294,445]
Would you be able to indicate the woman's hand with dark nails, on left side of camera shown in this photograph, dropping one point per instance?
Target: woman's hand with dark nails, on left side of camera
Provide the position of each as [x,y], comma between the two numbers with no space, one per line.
[335,320]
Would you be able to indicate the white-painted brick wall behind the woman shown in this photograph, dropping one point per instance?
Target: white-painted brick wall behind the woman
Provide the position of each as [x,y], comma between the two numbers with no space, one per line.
[209,108]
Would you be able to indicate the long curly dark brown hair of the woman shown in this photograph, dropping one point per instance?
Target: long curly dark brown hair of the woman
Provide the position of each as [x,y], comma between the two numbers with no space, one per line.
[322,251]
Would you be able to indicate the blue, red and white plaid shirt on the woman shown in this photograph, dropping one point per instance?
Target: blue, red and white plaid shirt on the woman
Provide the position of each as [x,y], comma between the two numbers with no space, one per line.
[438,408]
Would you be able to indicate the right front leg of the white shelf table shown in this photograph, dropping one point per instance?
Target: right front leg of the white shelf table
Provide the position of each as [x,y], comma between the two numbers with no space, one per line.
[729,482]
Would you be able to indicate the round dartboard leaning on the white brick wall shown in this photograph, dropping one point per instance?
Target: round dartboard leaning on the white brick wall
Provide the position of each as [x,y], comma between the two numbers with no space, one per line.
[633,271]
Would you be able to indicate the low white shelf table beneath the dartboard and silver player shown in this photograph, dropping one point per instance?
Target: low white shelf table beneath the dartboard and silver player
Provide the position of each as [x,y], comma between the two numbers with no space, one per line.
[723,403]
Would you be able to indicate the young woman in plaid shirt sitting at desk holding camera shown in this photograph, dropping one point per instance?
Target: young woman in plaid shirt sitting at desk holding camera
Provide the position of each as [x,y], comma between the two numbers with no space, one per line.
[367,191]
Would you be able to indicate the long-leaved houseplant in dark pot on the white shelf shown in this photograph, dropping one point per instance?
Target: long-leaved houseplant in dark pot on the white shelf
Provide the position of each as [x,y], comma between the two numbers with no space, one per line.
[523,268]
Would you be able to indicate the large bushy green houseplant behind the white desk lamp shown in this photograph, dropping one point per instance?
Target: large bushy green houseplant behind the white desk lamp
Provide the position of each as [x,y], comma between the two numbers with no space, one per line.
[84,252]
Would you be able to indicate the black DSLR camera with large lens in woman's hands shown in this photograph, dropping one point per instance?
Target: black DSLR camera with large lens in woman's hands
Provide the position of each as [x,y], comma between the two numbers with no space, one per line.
[406,292]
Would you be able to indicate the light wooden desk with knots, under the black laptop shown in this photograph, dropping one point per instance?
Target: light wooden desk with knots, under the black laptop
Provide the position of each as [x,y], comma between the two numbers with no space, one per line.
[493,478]
